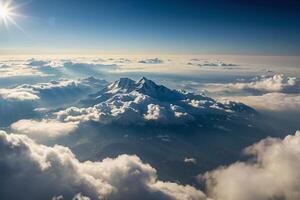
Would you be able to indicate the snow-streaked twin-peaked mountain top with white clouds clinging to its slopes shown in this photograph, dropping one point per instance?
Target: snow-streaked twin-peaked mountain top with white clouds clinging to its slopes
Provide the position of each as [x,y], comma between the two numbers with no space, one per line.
[126,102]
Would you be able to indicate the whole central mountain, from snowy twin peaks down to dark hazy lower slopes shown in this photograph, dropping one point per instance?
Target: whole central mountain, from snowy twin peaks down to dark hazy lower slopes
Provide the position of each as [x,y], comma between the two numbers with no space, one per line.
[161,125]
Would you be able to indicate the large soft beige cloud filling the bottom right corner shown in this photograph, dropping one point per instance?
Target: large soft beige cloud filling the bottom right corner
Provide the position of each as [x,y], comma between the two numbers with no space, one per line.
[271,173]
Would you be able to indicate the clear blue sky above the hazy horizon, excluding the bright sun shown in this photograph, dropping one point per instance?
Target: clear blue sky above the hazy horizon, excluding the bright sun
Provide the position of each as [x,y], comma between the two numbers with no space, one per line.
[155,26]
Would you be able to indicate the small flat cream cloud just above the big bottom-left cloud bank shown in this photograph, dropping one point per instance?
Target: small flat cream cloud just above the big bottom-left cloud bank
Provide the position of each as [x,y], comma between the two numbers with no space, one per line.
[43,129]
